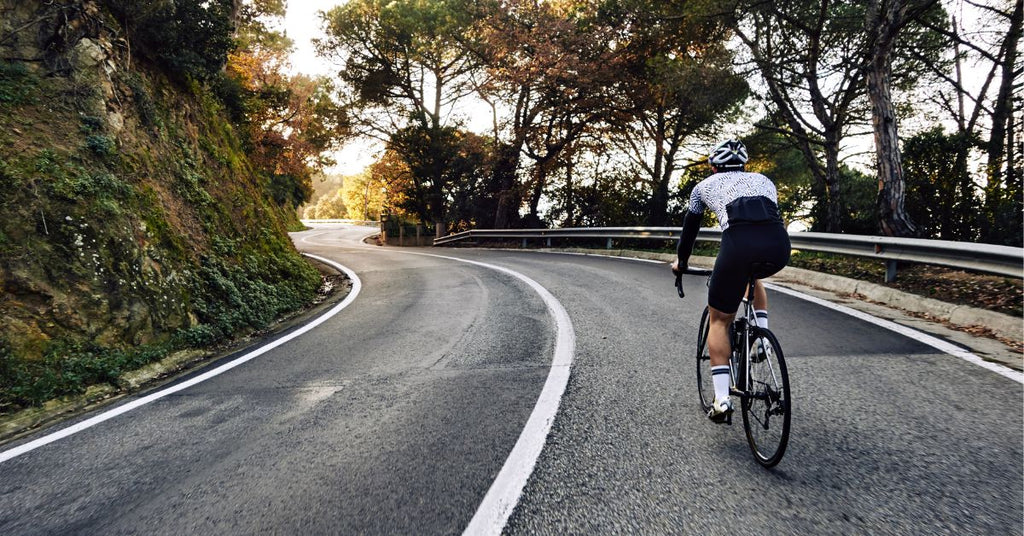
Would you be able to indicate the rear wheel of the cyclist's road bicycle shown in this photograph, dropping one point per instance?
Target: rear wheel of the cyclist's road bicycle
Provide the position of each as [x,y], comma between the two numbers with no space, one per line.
[767,407]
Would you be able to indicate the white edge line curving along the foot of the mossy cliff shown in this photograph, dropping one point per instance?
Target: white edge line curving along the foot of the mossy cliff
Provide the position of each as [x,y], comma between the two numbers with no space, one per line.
[89,424]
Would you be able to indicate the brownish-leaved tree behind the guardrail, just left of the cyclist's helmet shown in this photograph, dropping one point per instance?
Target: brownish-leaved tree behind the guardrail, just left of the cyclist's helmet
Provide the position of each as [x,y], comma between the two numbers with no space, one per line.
[676,81]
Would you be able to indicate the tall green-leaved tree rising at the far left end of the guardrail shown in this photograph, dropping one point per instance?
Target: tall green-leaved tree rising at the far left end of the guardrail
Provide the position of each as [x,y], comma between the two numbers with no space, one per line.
[406,64]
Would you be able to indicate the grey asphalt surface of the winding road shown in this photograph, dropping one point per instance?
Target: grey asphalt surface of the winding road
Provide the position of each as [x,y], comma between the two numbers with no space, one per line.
[396,416]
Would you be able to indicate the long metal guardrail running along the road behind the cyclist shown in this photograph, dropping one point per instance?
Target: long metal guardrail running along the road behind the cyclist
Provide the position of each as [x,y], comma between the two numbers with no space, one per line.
[1003,261]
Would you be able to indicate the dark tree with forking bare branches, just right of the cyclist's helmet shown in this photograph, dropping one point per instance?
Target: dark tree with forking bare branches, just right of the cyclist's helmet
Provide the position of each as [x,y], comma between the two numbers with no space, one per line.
[808,55]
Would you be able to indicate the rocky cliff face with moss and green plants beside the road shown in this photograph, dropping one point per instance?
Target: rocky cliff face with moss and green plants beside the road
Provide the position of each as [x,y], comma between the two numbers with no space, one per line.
[131,217]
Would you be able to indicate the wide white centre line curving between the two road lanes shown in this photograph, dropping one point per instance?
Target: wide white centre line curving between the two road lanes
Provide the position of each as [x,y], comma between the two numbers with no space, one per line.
[504,493]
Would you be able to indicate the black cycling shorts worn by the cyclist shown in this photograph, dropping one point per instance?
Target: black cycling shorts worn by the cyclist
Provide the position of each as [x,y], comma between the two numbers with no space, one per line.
[743,246]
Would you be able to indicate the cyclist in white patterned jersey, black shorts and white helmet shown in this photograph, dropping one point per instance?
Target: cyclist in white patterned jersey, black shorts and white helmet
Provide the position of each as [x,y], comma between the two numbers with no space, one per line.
[747,207]
